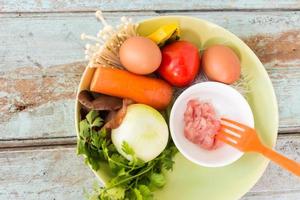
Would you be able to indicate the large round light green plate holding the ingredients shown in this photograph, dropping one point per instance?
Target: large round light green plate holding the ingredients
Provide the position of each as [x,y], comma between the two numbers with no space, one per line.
[192,182]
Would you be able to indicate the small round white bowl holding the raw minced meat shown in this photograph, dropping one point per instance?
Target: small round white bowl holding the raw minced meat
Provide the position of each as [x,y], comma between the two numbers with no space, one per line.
[228,103]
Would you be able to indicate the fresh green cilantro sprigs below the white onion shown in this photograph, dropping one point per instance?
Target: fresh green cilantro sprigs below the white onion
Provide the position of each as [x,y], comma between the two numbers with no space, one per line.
[132,180]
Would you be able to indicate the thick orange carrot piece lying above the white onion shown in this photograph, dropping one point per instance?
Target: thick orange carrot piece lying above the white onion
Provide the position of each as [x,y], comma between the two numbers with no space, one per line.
[141,89]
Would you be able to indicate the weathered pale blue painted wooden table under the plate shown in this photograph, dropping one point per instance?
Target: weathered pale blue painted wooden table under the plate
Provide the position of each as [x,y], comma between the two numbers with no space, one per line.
[41,64]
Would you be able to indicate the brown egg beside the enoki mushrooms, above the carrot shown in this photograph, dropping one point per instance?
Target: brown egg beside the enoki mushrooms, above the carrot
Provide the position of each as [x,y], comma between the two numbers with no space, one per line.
[140,55]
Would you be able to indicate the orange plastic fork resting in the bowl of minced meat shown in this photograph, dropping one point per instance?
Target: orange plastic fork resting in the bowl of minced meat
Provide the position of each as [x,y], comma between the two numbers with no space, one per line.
[245,139]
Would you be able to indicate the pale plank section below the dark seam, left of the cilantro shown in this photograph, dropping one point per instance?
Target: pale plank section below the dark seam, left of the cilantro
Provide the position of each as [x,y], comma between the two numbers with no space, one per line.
[43,174]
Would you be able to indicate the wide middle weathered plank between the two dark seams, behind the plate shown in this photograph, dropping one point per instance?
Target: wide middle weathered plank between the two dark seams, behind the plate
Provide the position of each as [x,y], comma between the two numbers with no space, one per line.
[37,87]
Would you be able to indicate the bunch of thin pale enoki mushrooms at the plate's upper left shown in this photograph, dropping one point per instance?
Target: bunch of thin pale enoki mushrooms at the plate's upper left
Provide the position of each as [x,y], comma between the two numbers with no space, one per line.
[105,50]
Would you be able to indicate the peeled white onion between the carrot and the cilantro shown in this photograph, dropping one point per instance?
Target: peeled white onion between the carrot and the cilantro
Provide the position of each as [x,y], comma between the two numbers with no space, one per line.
[144,129]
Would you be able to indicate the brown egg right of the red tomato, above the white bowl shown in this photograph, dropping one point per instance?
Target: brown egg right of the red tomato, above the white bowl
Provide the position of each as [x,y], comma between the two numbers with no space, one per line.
[220,63]
